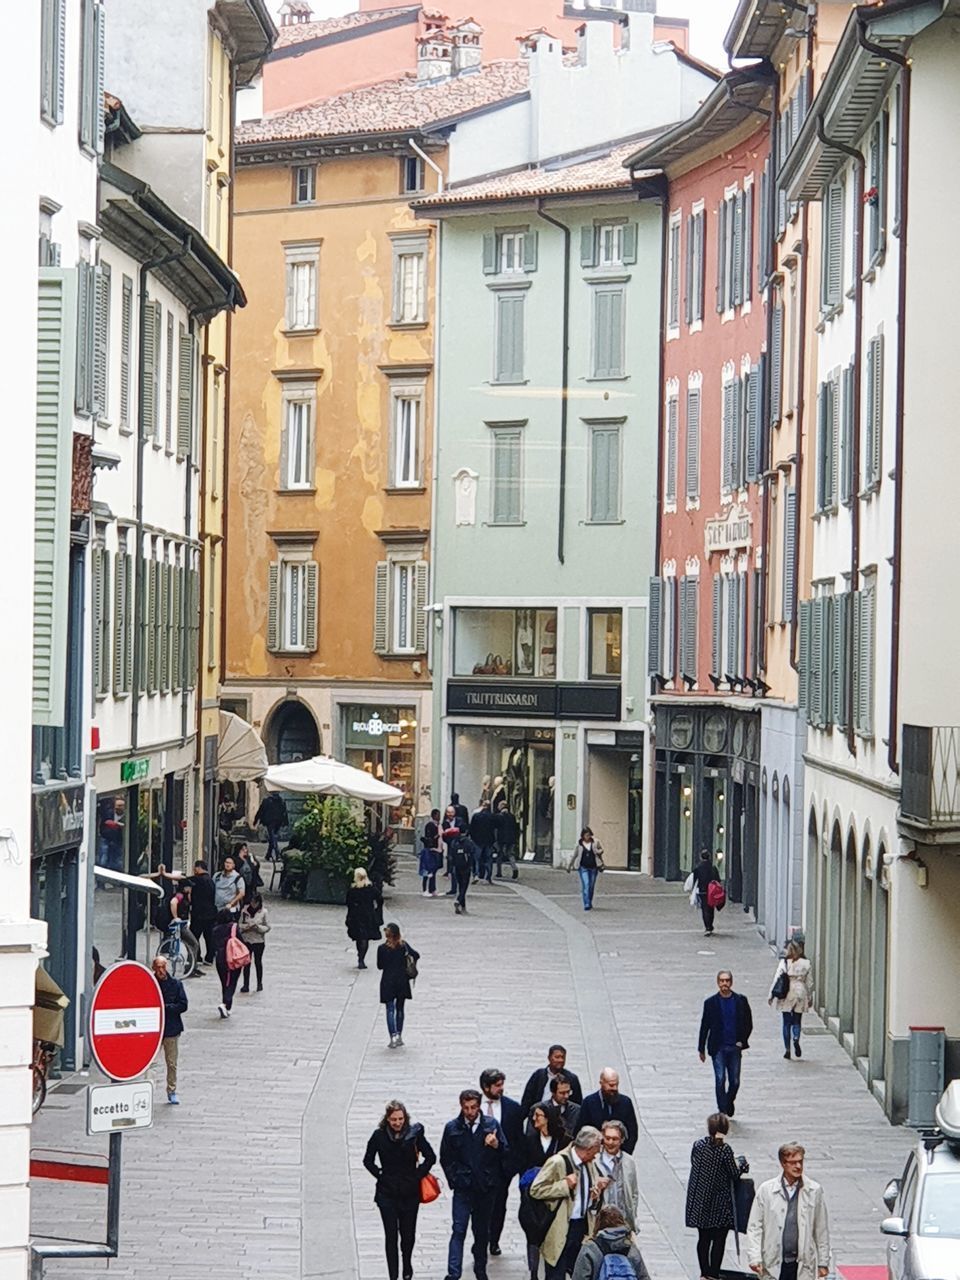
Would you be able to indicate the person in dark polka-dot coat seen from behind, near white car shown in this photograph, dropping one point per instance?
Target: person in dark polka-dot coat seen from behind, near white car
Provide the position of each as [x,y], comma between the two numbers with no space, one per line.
[715,1173]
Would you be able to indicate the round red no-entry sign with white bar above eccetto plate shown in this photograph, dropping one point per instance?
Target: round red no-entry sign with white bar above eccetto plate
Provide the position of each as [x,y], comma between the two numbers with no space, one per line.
[126,1021]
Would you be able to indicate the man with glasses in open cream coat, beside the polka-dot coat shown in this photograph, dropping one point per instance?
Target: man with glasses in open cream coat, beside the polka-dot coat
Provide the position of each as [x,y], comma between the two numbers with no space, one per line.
[788,1237]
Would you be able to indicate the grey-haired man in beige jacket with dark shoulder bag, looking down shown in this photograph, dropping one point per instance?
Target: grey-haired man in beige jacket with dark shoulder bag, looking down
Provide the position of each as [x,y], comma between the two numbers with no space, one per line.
[570,1181]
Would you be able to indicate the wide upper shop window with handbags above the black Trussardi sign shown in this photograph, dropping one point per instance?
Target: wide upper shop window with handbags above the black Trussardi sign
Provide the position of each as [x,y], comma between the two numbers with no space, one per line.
[520,643]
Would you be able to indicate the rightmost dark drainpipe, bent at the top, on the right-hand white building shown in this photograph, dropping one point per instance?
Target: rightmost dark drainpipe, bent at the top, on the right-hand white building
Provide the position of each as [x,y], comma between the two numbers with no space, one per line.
[904,166]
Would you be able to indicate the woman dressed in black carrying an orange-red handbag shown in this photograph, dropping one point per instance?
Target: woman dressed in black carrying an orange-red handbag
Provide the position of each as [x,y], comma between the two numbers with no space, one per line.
[399,1156]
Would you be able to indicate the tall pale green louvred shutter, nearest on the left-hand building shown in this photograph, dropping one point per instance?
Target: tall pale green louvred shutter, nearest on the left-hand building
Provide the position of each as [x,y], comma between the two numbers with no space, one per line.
[57,337]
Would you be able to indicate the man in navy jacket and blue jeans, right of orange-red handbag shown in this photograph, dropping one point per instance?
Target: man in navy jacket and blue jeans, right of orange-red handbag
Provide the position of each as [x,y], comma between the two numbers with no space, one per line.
[474,1158]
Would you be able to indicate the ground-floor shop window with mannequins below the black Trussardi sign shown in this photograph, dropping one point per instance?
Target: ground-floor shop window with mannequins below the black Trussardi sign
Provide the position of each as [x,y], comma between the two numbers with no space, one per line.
[523,760]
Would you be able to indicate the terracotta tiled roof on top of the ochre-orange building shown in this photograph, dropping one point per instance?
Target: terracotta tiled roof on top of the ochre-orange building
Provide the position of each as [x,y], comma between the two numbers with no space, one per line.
[391,106]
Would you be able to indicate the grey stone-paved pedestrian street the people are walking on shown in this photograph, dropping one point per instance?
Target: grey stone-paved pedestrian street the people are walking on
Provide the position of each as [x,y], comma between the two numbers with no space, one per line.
[252,1176]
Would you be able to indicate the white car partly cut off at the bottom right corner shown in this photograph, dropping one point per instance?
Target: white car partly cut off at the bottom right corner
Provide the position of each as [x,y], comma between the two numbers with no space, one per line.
[924,1233]
